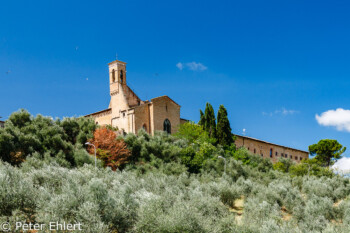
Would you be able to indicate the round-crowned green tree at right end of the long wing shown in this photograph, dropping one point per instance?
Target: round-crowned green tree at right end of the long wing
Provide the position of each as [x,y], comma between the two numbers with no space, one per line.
[327,151]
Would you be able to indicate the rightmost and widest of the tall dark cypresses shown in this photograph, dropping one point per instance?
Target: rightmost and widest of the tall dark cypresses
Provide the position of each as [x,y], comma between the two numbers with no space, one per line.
[223,132]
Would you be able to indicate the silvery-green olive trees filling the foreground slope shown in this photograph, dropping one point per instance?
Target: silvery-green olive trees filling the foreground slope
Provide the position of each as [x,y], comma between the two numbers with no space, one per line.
[167,198]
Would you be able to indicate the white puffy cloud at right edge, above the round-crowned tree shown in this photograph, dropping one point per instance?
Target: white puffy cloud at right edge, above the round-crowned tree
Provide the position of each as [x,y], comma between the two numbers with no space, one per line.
[339,118]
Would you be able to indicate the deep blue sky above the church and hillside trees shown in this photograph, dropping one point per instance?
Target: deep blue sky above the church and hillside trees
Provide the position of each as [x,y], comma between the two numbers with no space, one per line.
[273,64]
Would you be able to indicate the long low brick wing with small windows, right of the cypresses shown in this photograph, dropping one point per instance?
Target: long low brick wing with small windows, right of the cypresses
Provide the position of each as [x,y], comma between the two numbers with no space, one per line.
[270,150]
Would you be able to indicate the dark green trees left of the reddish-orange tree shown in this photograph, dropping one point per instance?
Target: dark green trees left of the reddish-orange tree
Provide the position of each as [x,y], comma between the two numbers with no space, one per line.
[24,135]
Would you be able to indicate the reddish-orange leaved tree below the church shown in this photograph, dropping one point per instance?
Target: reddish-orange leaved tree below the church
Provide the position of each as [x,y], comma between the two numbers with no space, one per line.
[111,151]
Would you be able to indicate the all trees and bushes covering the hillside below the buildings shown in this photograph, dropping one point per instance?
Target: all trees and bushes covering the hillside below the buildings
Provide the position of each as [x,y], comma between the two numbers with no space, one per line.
[161,183]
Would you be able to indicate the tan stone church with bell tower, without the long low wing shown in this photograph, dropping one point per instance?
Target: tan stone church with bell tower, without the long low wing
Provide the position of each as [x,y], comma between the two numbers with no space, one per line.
[129,113]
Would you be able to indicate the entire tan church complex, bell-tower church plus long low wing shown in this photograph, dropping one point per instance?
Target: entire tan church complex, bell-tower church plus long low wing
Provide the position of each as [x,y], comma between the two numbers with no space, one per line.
[129,113]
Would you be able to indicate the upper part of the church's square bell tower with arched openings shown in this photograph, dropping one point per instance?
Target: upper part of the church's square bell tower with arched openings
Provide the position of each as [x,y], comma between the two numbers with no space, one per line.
[117,76]
